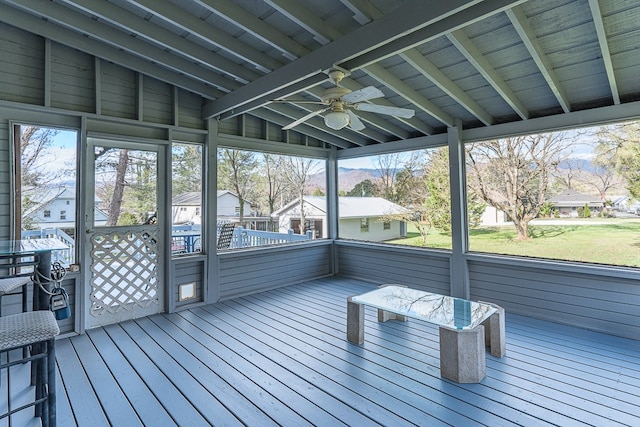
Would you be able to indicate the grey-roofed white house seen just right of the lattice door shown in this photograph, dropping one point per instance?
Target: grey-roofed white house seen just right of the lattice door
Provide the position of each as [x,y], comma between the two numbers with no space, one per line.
[186,208]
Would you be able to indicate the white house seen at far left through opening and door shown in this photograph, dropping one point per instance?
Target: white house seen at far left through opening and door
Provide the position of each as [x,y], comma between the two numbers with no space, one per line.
[57,209]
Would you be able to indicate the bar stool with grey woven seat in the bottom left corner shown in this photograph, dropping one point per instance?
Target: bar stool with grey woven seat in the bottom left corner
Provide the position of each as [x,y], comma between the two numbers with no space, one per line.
[35,329]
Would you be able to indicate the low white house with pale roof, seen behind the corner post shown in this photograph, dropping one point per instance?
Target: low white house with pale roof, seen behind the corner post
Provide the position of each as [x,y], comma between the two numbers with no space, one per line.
[360,218]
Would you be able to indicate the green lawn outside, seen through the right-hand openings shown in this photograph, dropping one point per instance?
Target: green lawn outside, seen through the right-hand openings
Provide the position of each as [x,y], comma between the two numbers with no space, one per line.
[611,241]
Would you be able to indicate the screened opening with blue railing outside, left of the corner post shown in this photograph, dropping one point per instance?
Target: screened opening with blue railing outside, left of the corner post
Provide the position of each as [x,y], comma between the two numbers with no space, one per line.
[270,199]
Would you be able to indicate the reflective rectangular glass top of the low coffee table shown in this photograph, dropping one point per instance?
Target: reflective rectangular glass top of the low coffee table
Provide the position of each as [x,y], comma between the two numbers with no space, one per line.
[439,309]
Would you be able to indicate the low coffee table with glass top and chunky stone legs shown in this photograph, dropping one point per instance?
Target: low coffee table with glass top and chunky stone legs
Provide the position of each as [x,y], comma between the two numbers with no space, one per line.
[466,327]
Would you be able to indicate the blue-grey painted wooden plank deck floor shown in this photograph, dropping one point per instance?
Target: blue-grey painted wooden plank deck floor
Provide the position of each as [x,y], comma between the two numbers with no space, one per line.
[281,358]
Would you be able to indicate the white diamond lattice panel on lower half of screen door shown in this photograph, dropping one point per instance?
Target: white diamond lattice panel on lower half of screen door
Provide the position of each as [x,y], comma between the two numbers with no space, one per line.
[124,267]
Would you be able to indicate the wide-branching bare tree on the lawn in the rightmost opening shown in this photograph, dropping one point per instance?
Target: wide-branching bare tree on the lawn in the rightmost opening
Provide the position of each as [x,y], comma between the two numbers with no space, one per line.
[514,174]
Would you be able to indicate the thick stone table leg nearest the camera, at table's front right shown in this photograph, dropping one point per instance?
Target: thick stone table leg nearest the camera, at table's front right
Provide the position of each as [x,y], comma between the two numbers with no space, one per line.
[462,354]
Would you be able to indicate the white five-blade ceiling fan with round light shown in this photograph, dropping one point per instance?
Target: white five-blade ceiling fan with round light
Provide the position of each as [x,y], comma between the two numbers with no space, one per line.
[340,102]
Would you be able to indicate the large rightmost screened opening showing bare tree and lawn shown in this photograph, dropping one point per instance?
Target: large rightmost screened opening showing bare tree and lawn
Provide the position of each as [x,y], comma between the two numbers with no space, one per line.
[569,196]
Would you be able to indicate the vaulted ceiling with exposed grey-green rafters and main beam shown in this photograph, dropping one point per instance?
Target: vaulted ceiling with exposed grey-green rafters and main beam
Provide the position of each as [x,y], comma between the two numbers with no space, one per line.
[480,62]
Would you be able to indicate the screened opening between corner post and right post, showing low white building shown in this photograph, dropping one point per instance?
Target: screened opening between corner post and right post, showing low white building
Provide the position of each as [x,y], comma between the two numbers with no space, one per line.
[400,198]
